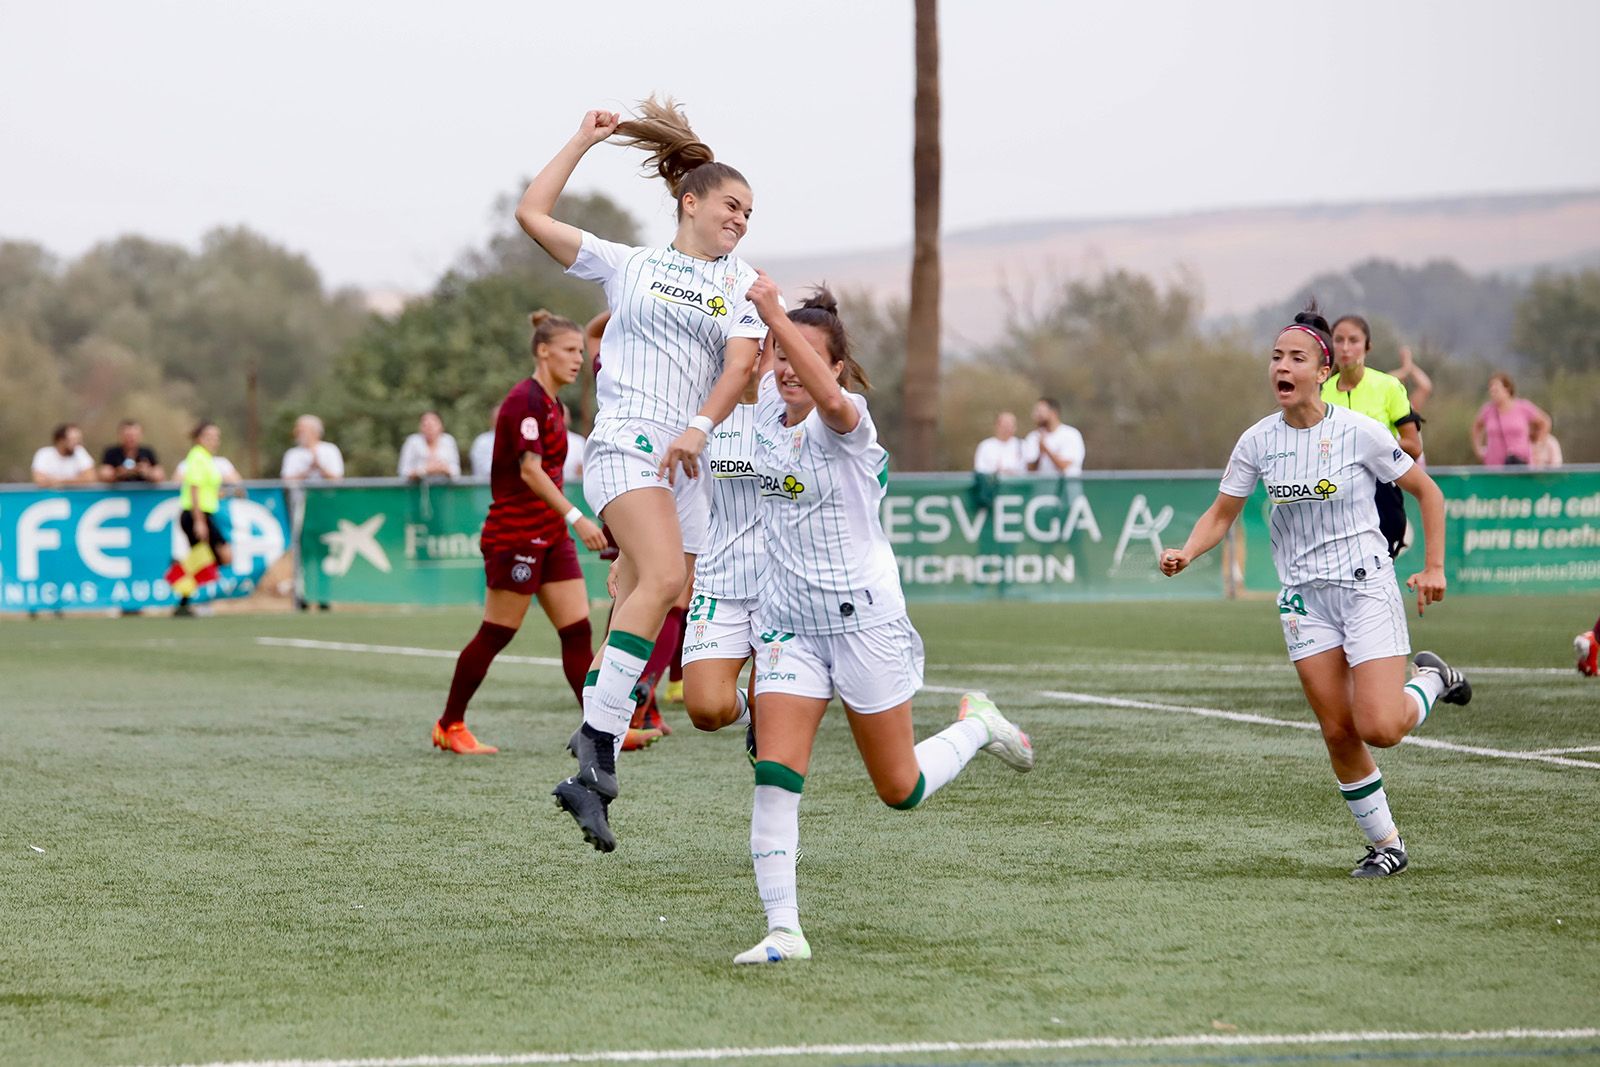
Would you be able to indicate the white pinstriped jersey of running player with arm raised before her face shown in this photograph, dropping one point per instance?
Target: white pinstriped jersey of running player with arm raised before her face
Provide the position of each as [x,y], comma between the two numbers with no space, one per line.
[830,569]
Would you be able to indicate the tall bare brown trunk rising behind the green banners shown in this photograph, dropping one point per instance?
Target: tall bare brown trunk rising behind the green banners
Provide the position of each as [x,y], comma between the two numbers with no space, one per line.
[921,385]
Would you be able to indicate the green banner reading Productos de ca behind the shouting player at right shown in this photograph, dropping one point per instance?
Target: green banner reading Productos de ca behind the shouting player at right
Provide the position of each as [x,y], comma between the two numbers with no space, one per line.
[1514,532]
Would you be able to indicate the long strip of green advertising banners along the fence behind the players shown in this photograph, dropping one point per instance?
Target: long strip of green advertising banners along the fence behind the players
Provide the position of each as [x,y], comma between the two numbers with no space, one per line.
[969,538]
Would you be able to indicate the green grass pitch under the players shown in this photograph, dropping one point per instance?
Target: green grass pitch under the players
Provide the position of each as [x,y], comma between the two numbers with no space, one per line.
[226,850]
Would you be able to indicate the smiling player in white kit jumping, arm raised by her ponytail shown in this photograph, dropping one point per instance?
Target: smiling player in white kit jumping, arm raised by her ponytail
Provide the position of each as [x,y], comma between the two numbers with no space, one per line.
[679,350]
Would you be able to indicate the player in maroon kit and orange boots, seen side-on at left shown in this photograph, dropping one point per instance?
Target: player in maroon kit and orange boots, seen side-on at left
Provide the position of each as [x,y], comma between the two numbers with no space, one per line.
[527,548]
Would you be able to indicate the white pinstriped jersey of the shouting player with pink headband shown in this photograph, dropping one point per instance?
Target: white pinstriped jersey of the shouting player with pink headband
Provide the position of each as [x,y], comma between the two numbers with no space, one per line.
[1321,482]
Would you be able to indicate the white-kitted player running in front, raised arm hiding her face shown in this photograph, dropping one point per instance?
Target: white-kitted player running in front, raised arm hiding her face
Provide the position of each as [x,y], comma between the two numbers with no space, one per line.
[833,610]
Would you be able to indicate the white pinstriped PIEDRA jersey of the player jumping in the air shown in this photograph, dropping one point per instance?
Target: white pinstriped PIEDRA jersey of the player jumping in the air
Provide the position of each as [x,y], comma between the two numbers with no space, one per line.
[671,322]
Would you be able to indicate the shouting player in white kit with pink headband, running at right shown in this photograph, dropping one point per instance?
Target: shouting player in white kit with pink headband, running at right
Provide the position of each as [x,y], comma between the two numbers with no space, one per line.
[1342,610]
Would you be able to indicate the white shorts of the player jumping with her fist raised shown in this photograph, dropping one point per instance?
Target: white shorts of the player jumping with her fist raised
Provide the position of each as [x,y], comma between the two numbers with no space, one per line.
[625,455]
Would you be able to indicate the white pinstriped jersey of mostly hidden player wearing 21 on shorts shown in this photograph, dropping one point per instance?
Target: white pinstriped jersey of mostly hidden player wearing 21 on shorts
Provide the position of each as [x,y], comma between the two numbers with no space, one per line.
[730,567]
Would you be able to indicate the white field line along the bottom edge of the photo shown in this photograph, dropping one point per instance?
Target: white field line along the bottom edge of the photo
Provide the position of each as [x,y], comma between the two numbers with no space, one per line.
[916,1049]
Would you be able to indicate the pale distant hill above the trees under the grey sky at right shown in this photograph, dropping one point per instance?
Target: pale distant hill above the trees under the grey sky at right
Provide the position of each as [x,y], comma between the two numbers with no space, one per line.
[1244,258]
